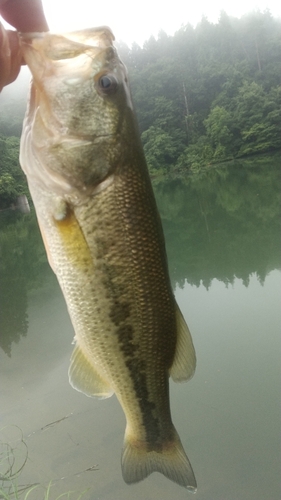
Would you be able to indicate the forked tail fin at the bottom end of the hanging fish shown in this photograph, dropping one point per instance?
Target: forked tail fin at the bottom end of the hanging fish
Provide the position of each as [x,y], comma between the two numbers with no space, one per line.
[137,463]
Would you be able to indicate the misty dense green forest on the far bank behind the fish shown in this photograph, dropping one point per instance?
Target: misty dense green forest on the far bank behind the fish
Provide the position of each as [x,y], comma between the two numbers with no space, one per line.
[205,95]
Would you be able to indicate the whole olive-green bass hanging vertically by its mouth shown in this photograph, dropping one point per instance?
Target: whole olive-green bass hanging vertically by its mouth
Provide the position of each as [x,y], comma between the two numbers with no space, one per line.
[88,178]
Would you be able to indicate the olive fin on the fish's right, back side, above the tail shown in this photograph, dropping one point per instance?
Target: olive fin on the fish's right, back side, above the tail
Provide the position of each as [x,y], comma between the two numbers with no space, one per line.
[184,363]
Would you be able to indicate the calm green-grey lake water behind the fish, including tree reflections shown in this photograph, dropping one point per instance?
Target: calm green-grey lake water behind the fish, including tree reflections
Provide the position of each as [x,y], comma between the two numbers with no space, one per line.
[222,233]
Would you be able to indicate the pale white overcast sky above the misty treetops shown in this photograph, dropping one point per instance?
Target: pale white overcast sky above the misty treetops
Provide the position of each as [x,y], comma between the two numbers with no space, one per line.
[132,20]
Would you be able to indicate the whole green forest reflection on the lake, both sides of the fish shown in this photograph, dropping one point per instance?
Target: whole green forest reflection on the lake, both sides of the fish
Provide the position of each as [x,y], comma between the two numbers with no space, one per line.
[223,224]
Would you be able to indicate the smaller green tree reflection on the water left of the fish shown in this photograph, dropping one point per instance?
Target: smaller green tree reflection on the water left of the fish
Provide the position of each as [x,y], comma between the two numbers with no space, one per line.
[22,267]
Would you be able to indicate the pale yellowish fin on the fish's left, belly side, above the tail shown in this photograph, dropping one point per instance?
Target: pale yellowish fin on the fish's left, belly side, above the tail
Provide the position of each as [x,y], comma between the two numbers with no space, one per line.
[84,378]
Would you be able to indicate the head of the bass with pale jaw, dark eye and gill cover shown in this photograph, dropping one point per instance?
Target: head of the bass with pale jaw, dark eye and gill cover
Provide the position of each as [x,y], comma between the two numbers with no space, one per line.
[80,113]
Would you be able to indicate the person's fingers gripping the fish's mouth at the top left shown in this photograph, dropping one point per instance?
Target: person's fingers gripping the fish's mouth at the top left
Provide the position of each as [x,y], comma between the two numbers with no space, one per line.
[25,16]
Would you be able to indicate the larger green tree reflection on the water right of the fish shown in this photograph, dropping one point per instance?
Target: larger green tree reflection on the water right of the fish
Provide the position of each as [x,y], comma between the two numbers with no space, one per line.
[223,223]
